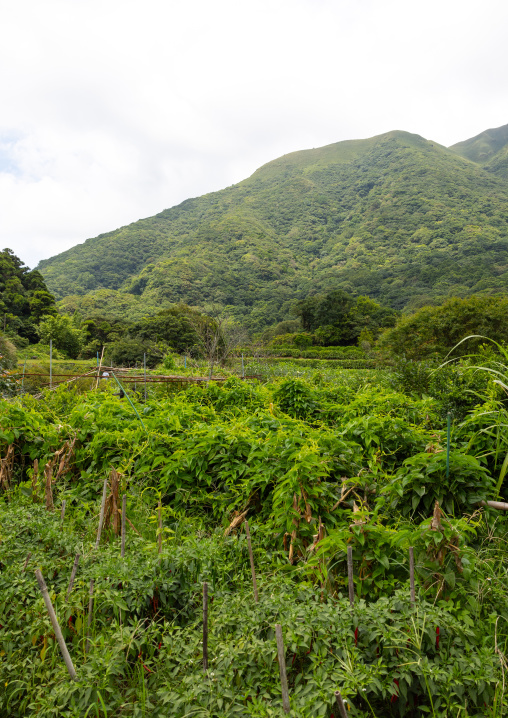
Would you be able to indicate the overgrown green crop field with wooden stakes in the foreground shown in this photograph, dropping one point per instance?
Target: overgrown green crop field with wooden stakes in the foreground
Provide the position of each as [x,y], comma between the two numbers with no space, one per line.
[318,459]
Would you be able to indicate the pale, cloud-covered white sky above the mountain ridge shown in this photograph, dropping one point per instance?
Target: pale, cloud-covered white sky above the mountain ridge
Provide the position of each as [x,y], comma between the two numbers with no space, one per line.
[113,110]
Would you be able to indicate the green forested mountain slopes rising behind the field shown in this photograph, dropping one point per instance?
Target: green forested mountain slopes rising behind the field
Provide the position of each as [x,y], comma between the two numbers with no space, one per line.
[396,217]
